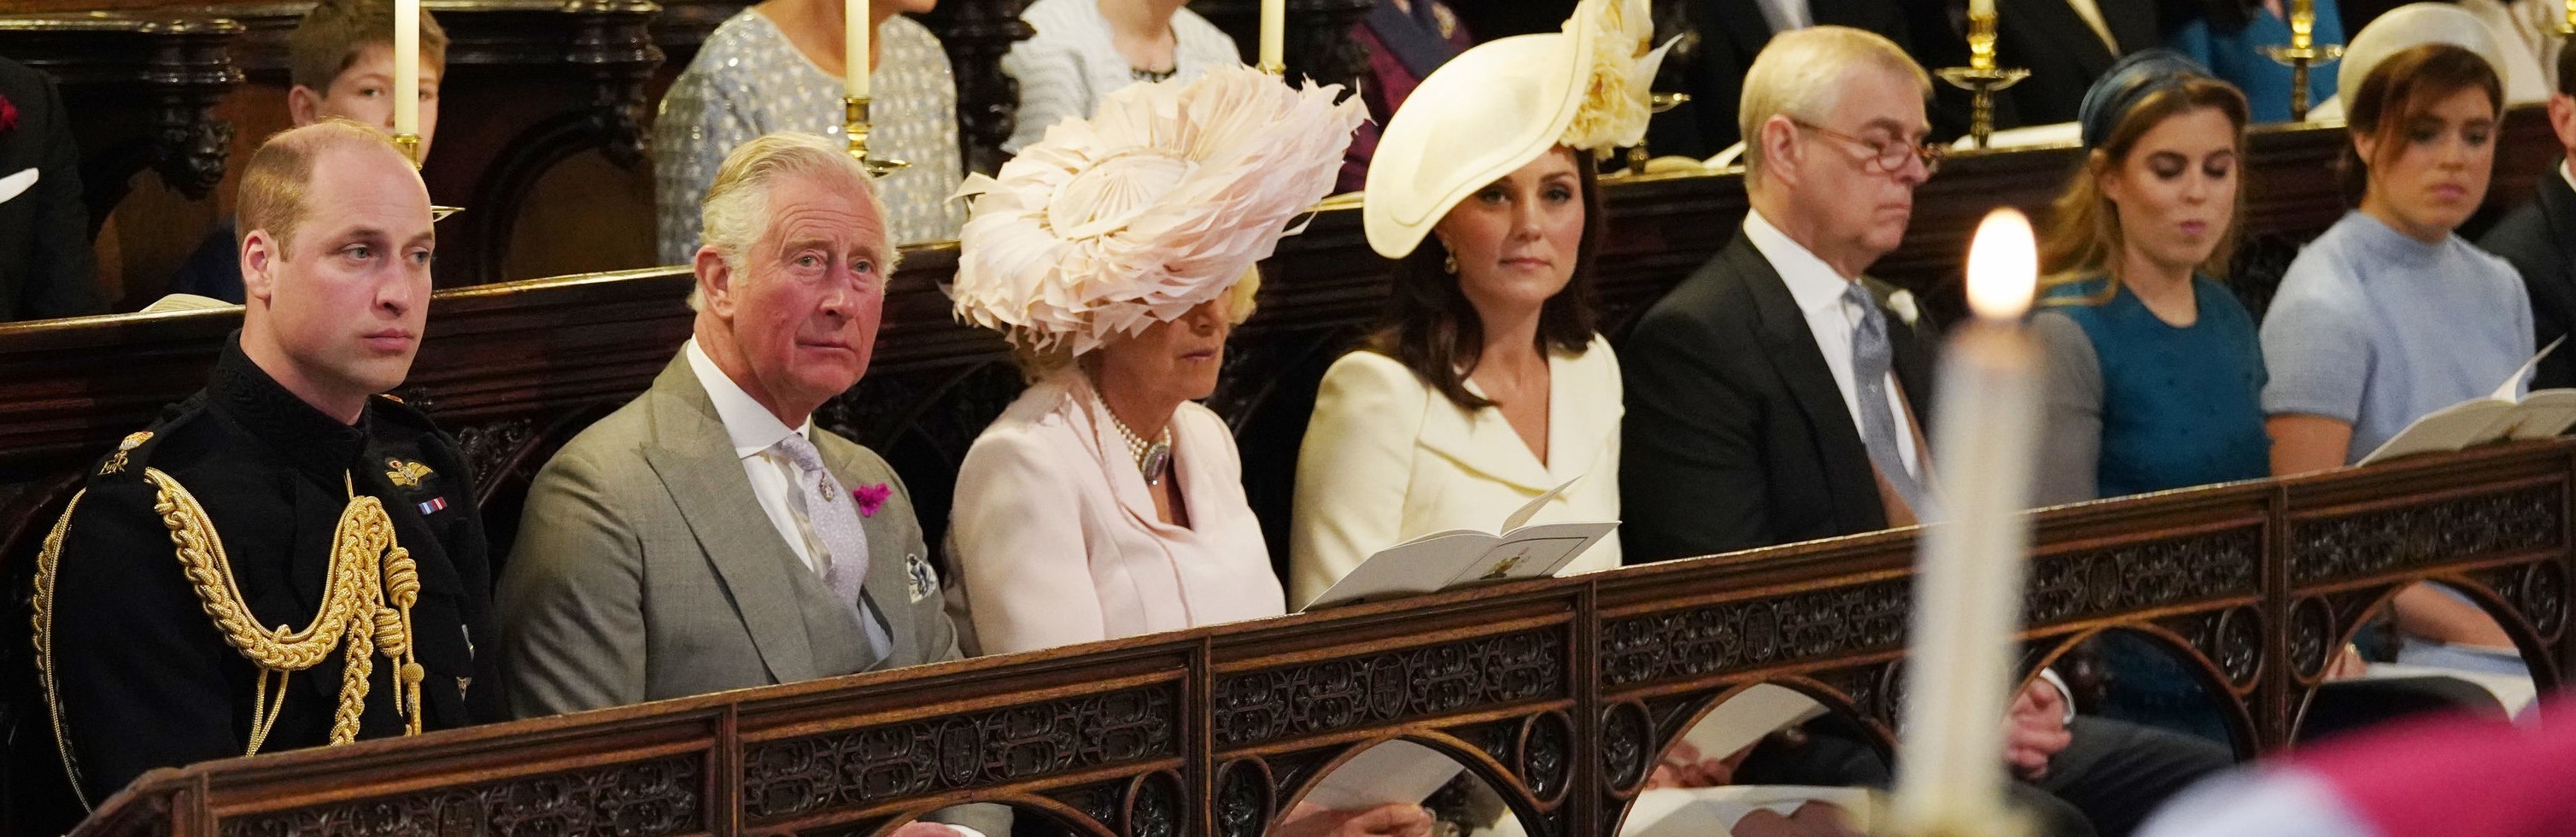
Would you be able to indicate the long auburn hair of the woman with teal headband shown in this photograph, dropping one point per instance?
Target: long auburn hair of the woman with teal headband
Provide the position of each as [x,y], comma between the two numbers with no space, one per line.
[2085,225]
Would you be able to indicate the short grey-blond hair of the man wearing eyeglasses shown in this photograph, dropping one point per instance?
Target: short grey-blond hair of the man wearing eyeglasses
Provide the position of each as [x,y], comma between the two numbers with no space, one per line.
[1802,76]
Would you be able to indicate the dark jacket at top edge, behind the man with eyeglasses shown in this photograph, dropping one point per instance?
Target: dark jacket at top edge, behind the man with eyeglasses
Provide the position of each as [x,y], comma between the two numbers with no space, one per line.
[1732,32]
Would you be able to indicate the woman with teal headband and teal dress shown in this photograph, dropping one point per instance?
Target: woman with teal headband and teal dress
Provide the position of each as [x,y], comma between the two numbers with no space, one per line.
[2157,370]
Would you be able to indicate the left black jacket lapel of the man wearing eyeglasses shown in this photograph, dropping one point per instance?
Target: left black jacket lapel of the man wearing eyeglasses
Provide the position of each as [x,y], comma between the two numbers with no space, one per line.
[1792,346]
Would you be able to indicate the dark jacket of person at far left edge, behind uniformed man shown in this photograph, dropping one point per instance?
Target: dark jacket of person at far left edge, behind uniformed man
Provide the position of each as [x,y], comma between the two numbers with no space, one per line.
[45,233]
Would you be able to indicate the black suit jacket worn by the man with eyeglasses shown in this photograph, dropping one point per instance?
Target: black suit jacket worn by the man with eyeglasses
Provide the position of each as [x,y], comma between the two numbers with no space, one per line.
[1738,434]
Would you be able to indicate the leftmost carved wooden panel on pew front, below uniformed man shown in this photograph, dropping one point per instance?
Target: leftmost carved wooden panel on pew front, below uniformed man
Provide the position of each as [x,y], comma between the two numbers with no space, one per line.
[658,797]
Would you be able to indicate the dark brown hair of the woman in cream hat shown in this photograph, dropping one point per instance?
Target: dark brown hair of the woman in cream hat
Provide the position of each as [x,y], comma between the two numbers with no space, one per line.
[1434,331]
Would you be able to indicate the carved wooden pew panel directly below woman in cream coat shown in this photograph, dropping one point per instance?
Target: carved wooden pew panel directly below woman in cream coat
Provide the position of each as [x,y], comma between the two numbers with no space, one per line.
[1390,686]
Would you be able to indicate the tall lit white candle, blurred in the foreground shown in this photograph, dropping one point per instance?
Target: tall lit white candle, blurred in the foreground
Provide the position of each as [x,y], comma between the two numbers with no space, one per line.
[1969,573]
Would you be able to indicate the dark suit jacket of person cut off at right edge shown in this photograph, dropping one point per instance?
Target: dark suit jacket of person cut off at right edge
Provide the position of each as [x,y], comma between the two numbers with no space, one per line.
[2541,241]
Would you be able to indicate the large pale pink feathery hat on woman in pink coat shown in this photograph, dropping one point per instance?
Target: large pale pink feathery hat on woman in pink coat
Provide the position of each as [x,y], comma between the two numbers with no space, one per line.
[1148,210]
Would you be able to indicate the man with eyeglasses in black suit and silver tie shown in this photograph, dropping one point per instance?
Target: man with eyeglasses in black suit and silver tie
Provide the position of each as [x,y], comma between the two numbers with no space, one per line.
[1779,395]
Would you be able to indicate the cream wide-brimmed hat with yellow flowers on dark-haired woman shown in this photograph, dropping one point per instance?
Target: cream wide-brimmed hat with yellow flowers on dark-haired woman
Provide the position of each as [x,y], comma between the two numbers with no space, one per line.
[1501,104]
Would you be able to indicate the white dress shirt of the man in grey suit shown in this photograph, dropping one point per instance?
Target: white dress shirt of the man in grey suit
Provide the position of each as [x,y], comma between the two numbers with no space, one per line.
[756,434]
